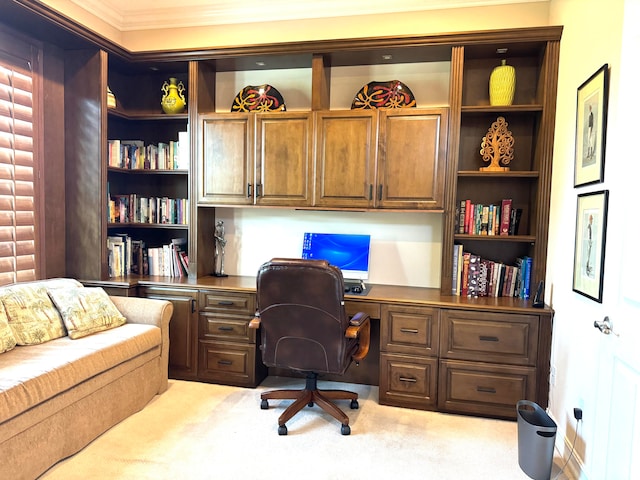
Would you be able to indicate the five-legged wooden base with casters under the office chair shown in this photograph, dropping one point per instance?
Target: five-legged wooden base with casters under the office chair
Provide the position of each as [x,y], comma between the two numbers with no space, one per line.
[310,396]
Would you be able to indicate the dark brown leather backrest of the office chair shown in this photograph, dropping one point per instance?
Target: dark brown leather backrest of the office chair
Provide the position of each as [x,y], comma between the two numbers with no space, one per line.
[302,316]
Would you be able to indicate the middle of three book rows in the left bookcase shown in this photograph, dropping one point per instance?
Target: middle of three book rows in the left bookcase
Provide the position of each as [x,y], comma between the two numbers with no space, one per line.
[135,209]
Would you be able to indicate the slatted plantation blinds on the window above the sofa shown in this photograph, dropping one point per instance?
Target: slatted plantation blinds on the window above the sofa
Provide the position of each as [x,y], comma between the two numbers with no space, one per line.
[17,203]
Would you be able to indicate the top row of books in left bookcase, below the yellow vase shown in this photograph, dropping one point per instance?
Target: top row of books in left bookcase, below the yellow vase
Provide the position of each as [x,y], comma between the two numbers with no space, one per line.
[135,155]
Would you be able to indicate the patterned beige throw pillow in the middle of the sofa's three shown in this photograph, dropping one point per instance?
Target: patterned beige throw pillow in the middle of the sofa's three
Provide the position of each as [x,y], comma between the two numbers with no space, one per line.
[32,316]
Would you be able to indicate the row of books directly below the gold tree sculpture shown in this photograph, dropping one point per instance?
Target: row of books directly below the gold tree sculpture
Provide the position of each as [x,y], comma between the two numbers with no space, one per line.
[479,219]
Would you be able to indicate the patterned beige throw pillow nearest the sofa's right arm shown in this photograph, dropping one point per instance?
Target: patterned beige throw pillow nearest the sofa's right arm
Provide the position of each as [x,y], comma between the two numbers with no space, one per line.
[86,310]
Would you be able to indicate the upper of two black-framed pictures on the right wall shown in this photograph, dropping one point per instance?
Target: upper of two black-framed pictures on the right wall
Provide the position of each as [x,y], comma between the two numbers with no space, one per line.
[591,128]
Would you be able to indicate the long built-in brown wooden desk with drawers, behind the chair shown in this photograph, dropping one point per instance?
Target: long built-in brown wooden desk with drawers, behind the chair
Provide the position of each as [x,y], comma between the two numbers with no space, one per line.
[429,351]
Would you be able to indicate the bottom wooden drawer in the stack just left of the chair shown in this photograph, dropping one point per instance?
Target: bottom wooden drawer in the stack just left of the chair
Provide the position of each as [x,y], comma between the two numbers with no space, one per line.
[228,363]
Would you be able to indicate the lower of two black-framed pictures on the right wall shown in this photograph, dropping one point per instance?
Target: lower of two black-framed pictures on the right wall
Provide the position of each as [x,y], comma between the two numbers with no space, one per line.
[591,229]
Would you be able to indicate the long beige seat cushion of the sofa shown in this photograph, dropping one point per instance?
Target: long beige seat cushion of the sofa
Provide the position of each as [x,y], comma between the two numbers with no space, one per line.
[34,374]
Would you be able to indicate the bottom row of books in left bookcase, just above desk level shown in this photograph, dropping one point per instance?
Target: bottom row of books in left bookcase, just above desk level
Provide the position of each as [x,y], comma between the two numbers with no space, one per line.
[127,256]
